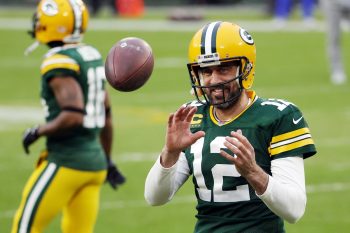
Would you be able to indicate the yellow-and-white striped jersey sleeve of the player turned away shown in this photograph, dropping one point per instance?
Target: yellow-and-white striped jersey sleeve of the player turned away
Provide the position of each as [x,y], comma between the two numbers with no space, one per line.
[59,65]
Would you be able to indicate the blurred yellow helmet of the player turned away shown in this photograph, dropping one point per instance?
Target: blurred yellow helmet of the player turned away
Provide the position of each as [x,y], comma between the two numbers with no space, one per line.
[60,20]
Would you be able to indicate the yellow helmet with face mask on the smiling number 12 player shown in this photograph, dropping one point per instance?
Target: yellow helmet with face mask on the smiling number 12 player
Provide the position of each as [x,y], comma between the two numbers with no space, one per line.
[217,43]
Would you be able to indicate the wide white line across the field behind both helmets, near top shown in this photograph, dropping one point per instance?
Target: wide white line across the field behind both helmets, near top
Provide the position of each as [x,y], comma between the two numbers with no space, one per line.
[167,25]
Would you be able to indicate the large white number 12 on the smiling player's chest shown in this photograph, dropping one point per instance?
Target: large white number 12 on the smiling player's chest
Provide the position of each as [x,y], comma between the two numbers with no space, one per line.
[219,171]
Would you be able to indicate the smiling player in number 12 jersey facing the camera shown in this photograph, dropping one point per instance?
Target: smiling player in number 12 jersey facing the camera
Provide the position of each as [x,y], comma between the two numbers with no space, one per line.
[244,153]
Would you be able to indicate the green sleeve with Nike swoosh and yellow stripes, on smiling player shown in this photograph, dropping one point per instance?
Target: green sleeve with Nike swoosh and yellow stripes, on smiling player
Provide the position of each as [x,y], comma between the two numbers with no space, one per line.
[291,135]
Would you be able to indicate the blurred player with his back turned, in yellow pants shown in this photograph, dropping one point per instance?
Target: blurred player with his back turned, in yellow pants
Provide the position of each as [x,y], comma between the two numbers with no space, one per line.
[78,126]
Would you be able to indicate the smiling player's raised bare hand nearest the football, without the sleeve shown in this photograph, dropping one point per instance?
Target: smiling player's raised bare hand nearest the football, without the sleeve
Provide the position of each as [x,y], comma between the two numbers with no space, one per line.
[178,135]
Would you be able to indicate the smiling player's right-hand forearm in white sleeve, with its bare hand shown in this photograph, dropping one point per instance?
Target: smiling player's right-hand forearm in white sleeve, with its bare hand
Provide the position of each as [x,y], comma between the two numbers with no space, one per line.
[284,191]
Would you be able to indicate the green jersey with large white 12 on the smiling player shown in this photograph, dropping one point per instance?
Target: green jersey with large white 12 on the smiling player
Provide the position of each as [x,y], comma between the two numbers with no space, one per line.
[225,200]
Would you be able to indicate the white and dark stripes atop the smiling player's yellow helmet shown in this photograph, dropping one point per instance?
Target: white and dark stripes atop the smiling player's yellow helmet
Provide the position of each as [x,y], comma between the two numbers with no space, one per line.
[208,39]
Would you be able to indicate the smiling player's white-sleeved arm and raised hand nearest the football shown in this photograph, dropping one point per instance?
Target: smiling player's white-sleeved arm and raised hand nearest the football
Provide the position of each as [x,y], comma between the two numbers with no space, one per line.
[171,169]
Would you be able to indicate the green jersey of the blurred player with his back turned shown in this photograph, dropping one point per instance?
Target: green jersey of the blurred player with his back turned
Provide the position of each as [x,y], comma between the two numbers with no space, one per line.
[79,148]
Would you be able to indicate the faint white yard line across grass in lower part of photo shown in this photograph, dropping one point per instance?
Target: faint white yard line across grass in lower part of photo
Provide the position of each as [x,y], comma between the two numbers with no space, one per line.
[180,200]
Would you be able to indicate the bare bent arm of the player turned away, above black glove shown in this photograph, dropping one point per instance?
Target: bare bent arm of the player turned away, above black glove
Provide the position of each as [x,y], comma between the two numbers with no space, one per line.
[69,96]
